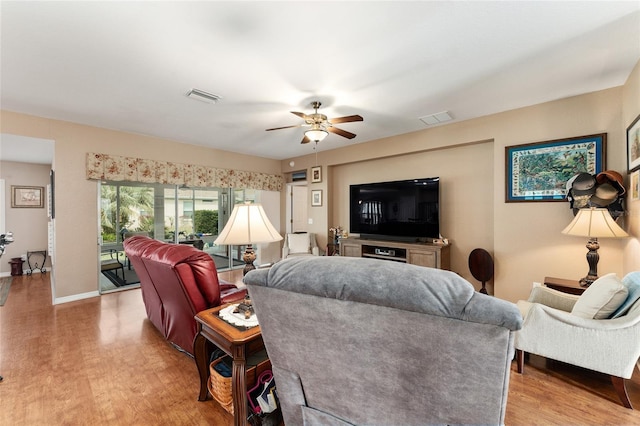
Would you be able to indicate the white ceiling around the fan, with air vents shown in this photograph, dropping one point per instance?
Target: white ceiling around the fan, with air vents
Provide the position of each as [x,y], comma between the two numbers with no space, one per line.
[128,65]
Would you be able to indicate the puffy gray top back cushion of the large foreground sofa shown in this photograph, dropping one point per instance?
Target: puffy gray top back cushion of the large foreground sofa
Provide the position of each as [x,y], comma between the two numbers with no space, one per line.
[415,288]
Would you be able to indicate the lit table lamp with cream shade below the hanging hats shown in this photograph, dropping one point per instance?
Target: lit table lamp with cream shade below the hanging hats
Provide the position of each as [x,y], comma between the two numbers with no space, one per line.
[593,223]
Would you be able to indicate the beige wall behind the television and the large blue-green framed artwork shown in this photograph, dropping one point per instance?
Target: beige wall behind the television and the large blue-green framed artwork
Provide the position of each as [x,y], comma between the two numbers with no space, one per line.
[524,238]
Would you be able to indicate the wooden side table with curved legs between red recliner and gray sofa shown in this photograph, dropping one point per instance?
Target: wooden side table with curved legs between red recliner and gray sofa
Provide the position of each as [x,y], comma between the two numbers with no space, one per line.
[235,342]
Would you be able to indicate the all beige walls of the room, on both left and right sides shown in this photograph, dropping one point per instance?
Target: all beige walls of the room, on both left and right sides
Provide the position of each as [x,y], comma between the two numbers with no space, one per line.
[524,238]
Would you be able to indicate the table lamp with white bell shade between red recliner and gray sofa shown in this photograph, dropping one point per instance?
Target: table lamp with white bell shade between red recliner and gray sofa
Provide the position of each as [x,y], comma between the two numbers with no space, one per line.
[247,225]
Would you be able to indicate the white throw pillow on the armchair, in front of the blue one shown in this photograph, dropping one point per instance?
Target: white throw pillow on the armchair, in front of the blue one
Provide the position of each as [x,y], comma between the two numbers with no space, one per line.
[602,298]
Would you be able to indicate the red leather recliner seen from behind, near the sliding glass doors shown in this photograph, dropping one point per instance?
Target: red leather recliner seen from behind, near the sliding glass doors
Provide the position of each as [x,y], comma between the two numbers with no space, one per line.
[177,282]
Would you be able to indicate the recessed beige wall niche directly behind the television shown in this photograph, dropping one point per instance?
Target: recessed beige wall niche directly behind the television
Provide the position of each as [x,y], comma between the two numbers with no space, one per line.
[466,192]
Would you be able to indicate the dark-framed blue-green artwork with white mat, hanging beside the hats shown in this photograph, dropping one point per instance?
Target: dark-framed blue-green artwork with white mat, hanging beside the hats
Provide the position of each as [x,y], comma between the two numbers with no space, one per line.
[539,171]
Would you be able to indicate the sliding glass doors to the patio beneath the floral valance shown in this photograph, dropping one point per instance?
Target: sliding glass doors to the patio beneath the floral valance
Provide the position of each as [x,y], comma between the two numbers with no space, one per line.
[167,213]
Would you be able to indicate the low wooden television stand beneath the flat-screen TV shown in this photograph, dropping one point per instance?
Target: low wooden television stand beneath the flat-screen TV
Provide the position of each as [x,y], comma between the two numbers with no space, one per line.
[421,254]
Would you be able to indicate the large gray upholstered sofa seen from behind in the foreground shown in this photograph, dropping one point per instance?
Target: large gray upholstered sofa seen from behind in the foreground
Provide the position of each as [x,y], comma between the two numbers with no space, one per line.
[372,342]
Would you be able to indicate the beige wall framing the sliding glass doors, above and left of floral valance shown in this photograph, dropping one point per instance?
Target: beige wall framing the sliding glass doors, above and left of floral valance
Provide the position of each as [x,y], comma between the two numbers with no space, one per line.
[76,223]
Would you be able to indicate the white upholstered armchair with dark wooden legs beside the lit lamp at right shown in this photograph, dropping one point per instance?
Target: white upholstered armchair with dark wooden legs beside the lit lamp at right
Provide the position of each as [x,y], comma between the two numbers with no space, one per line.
[555,329]
